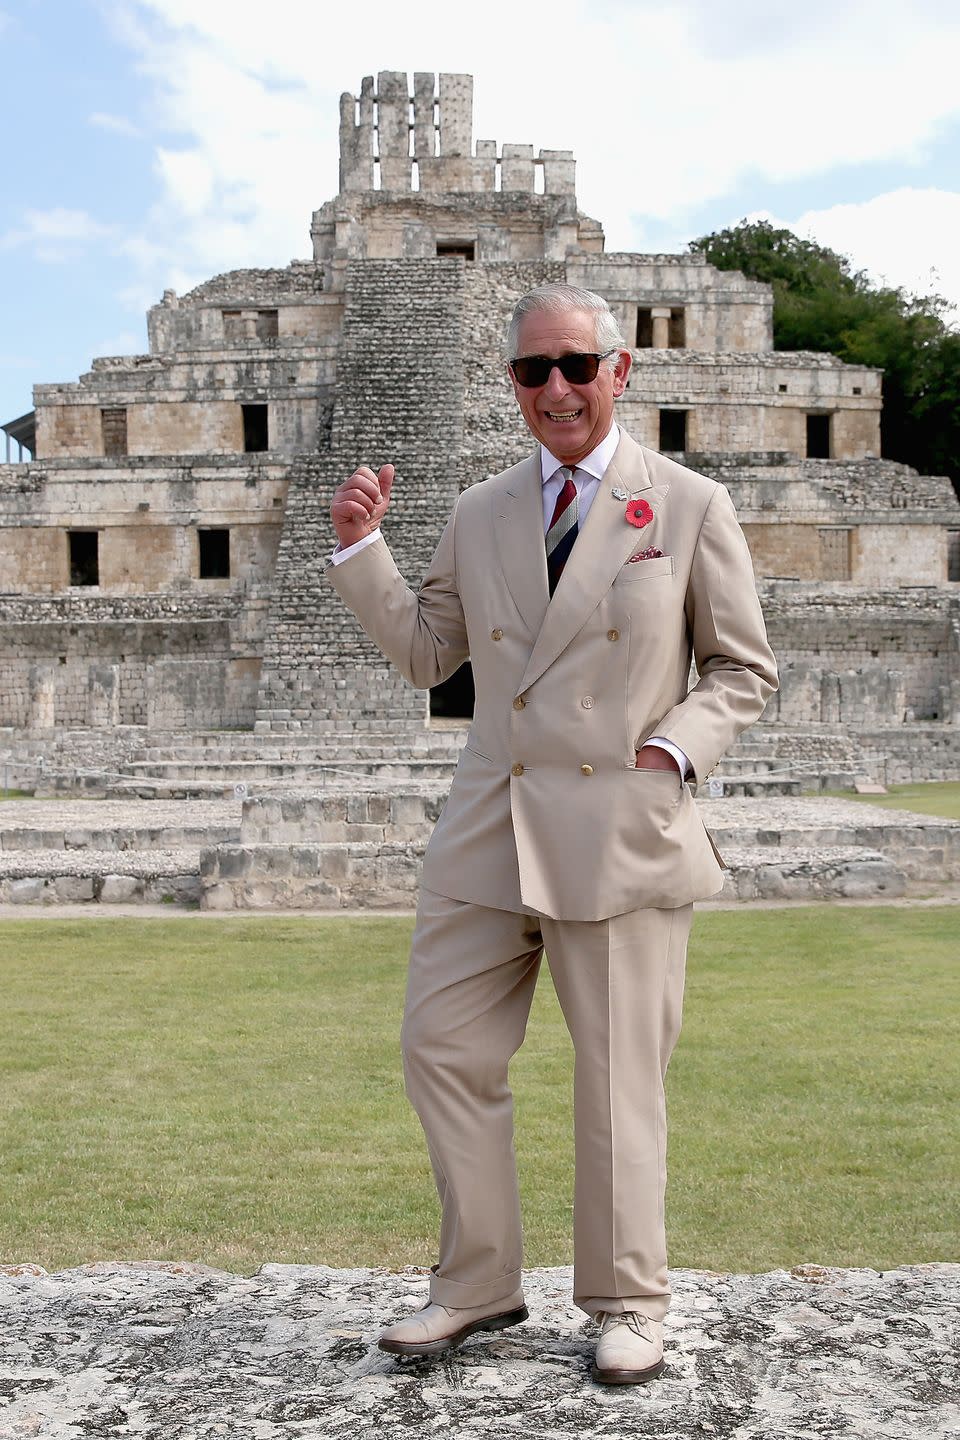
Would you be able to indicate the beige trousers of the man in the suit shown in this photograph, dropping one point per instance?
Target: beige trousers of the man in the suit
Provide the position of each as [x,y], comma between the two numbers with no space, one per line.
[621,987]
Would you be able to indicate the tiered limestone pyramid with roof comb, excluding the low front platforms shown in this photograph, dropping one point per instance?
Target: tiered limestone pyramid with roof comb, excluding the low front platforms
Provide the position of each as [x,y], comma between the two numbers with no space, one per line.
[162,552]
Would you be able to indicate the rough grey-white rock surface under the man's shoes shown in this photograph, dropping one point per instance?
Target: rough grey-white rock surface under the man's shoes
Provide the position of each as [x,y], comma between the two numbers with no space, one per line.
[185,1353]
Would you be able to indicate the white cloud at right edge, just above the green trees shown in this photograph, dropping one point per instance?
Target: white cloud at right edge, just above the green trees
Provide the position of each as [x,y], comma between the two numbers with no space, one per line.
[882,237]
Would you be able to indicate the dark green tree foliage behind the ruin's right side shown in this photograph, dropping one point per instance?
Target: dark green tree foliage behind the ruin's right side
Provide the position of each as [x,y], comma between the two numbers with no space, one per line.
[821,303]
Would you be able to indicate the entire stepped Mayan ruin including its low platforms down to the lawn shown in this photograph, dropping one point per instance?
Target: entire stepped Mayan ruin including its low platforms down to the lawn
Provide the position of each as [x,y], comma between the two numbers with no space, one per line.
[166,630]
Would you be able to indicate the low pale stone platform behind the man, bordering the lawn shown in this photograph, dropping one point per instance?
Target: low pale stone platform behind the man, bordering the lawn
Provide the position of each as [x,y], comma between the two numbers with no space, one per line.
[359,845]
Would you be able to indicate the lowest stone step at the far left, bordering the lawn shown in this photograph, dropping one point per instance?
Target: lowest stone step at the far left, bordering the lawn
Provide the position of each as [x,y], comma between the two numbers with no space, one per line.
[100,876]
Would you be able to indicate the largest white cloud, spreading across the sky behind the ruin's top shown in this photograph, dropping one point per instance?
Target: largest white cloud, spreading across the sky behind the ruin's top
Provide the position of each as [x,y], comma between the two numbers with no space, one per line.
[667,107]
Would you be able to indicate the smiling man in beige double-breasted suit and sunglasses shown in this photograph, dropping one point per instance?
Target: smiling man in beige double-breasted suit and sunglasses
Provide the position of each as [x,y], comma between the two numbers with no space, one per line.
[579,582]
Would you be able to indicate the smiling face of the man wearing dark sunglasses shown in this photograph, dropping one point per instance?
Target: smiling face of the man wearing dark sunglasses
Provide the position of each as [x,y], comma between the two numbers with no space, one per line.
[569,420]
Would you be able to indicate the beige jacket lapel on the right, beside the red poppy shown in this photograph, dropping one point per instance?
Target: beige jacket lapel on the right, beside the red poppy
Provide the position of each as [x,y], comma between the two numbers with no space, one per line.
[602,548]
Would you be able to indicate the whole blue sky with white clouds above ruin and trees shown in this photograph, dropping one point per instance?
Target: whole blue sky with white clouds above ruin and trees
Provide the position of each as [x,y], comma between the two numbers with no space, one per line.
[149,145]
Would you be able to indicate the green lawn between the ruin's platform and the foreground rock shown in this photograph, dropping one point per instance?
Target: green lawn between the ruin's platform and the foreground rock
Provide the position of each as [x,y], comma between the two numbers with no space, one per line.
[231,1092]
